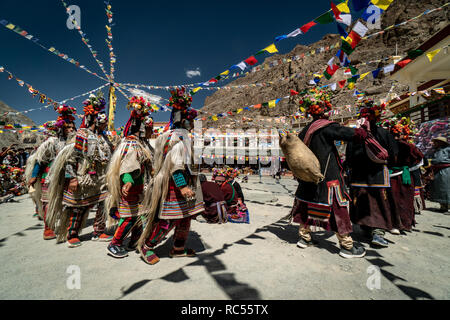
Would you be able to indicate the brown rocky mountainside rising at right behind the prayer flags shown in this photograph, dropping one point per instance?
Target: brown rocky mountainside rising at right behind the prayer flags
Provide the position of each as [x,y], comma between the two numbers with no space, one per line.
[396,41]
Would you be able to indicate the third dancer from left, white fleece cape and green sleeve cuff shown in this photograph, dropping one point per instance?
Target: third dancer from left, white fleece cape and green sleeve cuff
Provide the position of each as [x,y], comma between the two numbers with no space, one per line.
[128,172]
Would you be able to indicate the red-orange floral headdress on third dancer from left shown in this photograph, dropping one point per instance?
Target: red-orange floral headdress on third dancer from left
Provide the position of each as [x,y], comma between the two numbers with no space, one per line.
[140,113]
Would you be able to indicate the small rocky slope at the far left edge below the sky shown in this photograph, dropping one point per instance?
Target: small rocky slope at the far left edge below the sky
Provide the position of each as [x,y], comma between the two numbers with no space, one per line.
[23,139]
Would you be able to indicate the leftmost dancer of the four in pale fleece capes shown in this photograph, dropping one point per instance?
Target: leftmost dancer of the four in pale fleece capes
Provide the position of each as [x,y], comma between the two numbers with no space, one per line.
[42,160]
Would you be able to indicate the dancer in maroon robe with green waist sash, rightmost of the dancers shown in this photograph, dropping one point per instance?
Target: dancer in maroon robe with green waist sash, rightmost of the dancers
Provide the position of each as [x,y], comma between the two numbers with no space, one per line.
[404,175]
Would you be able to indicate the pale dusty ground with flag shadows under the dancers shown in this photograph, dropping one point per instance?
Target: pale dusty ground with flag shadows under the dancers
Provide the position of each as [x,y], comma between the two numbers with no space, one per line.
[259,260]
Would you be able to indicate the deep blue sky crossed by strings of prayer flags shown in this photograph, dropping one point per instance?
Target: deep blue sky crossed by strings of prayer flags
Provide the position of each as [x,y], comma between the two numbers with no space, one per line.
[156,43]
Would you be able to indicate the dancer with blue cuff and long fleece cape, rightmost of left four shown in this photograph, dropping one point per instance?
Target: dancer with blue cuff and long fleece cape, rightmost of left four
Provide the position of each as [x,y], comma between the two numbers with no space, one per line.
[176,191]
